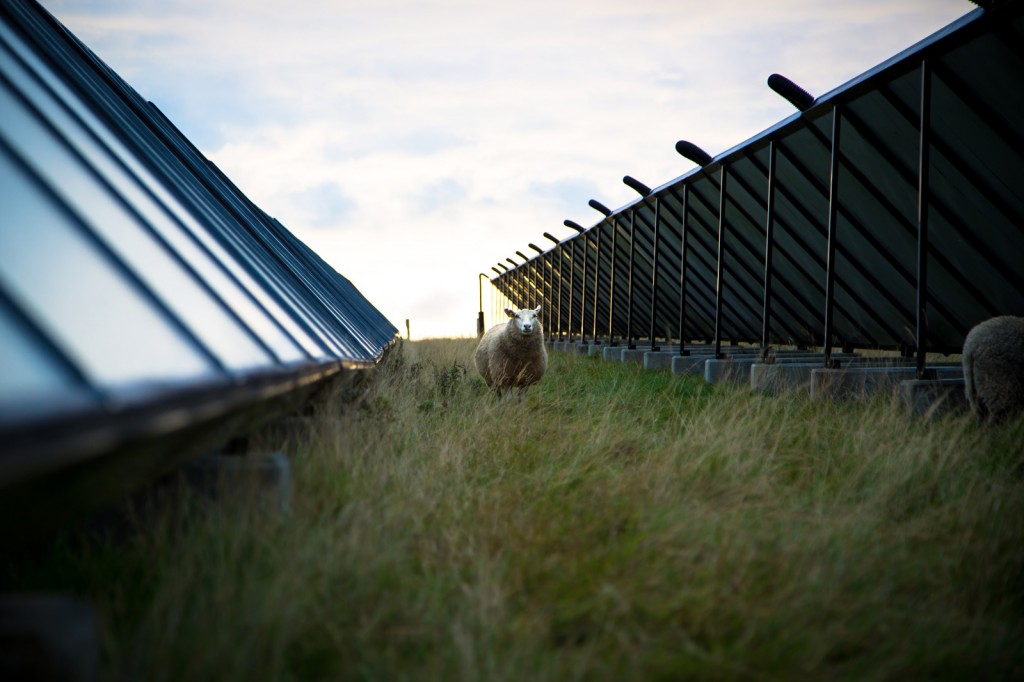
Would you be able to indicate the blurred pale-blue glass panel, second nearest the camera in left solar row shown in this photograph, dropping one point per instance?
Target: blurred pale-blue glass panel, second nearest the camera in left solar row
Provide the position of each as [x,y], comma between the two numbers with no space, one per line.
[79,296]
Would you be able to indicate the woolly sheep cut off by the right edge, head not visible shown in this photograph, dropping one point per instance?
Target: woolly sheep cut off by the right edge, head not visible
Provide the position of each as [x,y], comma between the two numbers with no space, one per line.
[994,368]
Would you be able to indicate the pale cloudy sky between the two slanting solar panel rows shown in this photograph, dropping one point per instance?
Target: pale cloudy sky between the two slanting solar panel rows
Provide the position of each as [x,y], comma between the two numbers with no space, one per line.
[415,145]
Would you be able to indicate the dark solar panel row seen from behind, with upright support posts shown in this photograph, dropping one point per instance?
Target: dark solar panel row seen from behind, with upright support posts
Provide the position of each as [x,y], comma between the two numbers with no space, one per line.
[889,214]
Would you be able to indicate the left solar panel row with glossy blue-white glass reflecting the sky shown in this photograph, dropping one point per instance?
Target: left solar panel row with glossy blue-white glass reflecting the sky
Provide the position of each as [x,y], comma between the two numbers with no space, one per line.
[142,293]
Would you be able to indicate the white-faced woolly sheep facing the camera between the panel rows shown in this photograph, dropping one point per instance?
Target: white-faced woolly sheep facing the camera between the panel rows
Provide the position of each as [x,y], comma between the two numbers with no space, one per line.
[513,355]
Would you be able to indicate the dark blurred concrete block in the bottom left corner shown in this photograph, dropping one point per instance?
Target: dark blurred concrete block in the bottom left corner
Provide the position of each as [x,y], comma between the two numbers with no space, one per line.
[50,638]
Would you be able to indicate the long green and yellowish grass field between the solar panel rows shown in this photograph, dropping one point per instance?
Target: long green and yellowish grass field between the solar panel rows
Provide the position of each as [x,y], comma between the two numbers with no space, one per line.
[616,526]
